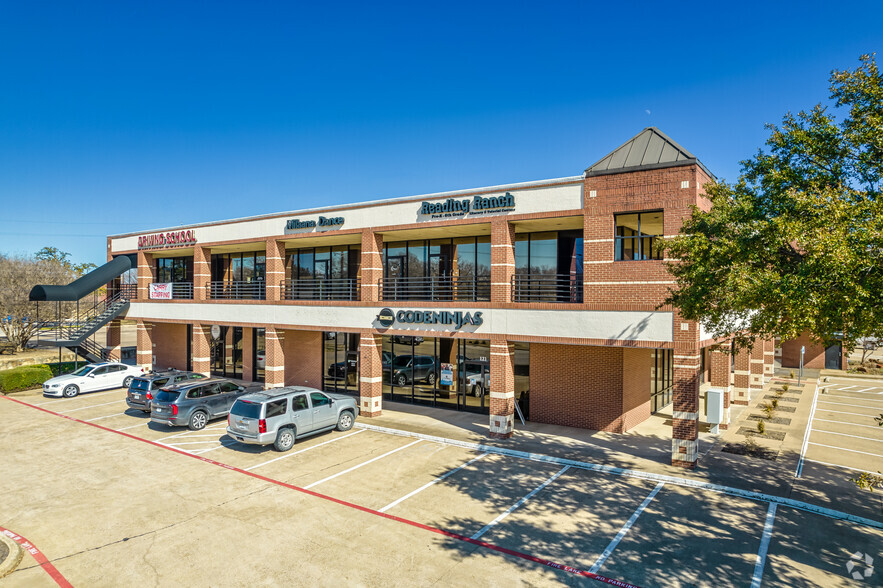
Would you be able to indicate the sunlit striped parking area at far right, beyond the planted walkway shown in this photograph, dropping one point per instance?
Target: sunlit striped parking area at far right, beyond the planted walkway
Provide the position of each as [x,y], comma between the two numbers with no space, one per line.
[842,431]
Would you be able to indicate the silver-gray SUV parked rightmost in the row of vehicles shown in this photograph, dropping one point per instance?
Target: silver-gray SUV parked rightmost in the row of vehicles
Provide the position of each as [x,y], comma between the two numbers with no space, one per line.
[281,415]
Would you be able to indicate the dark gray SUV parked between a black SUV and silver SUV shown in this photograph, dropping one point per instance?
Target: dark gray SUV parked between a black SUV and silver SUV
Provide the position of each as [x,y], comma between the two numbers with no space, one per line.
[194,403]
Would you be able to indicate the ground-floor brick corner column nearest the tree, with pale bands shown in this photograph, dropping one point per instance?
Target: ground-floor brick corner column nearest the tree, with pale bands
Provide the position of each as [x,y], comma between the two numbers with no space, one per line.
[685,404]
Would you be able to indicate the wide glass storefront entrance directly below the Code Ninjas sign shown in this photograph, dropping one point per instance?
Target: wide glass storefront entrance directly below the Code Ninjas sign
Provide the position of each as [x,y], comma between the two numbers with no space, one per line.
[452,373]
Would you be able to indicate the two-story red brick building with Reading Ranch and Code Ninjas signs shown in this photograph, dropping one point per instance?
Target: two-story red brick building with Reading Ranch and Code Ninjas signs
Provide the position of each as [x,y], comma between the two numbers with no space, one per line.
[544,294]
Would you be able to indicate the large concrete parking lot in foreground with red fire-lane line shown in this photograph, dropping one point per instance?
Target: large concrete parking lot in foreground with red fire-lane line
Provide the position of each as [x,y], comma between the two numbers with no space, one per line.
[383,508]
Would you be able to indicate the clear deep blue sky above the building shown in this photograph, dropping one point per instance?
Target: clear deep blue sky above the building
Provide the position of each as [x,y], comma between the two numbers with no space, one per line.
[121,116]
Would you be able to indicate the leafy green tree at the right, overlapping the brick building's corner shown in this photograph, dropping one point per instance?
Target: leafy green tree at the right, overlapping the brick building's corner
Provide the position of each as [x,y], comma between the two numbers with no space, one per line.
[795,245]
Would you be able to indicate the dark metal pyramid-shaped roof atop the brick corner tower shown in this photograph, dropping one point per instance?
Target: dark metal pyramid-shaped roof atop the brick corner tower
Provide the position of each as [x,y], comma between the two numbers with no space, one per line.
[649,149]
